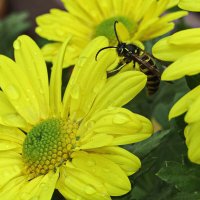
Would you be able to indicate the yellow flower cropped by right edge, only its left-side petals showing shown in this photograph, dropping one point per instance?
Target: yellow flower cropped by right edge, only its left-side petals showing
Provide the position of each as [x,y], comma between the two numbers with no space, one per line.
[184,48]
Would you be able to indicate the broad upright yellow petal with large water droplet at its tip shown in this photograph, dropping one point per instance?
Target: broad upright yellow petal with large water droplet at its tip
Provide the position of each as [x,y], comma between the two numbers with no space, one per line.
[29,57]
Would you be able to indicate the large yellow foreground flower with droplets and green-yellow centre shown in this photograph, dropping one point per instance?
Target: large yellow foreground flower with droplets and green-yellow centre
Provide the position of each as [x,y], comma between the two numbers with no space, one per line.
[68,143]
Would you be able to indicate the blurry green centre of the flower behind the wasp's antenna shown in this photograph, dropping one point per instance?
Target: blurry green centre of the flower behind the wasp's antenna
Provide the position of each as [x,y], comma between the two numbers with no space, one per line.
[106,28]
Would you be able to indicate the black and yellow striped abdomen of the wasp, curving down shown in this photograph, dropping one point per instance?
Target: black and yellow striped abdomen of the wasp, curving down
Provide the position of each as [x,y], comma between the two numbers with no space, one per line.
[148,67]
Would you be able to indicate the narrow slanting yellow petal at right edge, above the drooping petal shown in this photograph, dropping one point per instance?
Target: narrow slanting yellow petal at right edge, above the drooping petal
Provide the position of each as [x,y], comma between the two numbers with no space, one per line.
[184,103]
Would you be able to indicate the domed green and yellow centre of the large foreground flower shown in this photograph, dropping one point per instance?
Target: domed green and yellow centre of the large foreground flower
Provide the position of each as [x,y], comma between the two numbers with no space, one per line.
[48,145]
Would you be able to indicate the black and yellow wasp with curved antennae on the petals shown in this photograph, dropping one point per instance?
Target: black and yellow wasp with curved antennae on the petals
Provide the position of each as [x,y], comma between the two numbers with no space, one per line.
[132,53]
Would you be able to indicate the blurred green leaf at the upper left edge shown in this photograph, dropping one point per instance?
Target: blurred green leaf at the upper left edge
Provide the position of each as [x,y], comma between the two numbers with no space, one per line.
[10,28]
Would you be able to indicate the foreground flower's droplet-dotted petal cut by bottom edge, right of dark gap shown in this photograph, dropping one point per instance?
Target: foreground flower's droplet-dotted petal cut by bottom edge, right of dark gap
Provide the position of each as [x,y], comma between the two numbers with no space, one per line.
[74,183]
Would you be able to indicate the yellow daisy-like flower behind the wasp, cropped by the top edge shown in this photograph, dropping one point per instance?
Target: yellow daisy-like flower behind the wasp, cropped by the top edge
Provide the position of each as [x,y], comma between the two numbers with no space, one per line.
[139,20]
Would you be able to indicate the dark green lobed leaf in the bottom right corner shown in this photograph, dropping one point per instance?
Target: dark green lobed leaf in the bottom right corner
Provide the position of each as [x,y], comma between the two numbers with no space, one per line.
[184,178]
